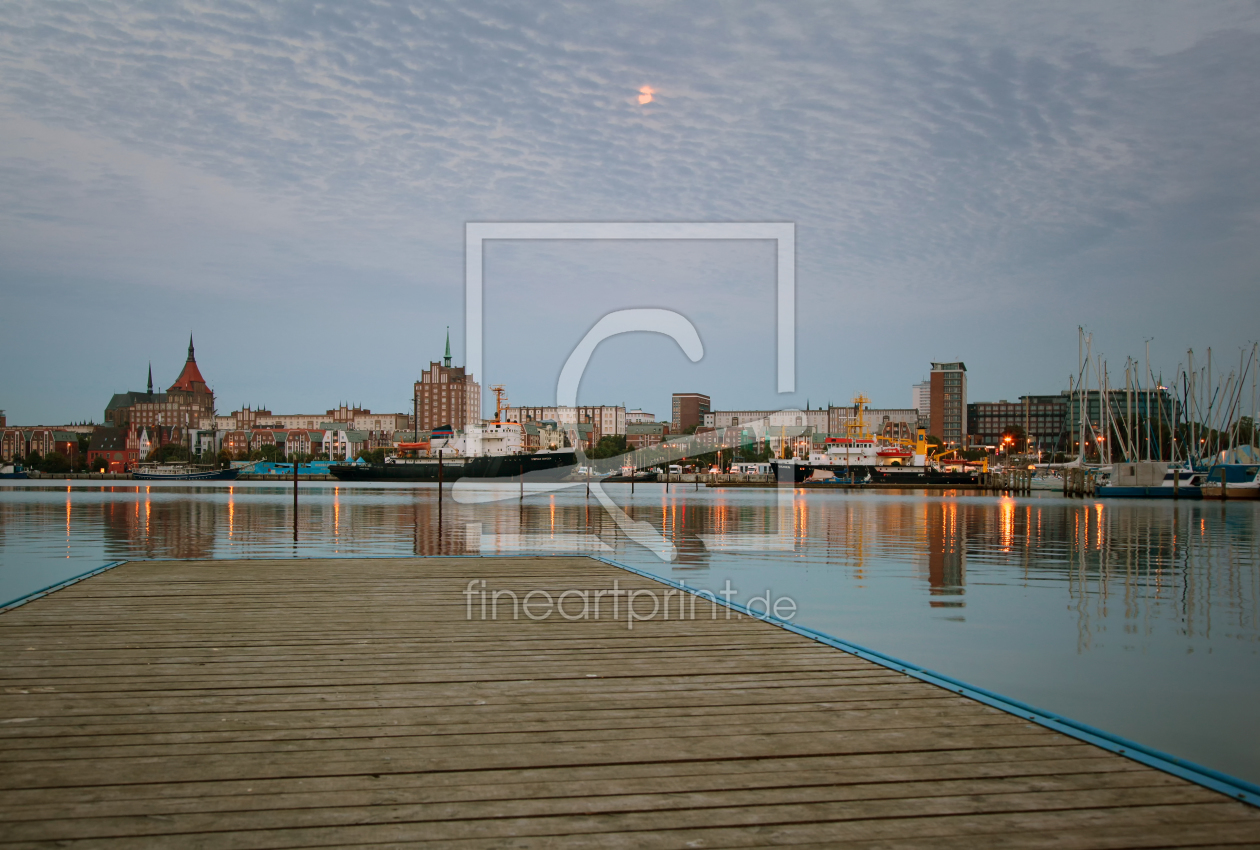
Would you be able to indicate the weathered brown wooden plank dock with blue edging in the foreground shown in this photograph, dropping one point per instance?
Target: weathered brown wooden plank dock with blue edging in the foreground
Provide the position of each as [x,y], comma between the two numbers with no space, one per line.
[341,703]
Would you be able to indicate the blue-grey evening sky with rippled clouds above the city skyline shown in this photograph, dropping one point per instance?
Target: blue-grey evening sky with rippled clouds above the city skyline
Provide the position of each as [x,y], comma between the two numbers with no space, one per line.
[292,182]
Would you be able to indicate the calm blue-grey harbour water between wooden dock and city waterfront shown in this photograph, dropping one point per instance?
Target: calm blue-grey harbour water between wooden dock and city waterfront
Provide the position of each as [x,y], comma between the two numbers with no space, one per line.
[1138,618]
